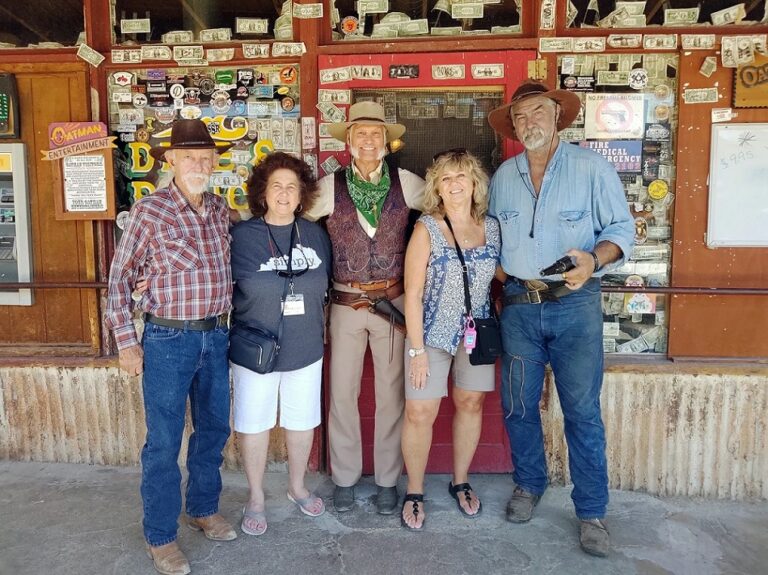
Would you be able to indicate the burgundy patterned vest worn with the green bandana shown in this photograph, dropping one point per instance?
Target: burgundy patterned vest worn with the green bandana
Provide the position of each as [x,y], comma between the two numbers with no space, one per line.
[356,257]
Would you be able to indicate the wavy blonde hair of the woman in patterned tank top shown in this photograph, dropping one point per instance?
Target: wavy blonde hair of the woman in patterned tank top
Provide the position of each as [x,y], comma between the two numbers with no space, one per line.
[457,161]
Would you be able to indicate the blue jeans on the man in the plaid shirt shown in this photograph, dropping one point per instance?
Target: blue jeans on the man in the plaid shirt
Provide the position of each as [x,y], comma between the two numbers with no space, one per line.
[180,363]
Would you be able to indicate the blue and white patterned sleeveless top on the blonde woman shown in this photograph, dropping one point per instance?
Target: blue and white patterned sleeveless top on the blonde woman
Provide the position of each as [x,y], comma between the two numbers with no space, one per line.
[444,288]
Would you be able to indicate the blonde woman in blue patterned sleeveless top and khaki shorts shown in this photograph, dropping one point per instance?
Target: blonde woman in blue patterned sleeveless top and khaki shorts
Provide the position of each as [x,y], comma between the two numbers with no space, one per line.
[457,189]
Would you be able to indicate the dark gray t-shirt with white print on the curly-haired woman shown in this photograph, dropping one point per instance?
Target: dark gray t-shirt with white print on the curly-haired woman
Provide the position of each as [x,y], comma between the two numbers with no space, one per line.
[256,259]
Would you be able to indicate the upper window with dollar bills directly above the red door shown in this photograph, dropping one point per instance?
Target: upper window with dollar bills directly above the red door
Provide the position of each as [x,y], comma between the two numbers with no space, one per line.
[365,19]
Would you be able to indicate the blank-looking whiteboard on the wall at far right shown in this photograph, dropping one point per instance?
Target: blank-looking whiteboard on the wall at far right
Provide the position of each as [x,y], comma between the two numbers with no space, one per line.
[738,186]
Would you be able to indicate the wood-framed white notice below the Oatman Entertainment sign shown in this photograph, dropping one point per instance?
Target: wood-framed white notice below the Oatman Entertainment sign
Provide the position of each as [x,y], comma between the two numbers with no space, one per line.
[87,187]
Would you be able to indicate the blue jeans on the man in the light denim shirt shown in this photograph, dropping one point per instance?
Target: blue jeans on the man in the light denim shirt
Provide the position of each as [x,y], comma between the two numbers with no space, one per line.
[567,334]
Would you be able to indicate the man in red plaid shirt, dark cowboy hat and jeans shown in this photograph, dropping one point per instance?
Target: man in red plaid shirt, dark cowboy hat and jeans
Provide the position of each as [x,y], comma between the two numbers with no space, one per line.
[177,241]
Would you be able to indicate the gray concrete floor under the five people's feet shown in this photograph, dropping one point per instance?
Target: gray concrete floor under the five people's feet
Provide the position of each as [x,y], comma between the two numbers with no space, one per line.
[67,519]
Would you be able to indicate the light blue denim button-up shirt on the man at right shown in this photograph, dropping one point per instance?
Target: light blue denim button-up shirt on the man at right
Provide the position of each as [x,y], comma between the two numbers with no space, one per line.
[581,203]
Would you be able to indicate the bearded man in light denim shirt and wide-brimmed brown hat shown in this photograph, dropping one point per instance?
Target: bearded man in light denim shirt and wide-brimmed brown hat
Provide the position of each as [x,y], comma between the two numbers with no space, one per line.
[555,200]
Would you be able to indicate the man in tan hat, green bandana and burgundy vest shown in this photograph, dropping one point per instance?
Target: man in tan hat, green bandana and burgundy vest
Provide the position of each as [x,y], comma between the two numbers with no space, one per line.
[367,205]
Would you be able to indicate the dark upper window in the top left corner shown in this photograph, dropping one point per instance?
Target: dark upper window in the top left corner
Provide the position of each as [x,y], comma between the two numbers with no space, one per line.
[40,24]
